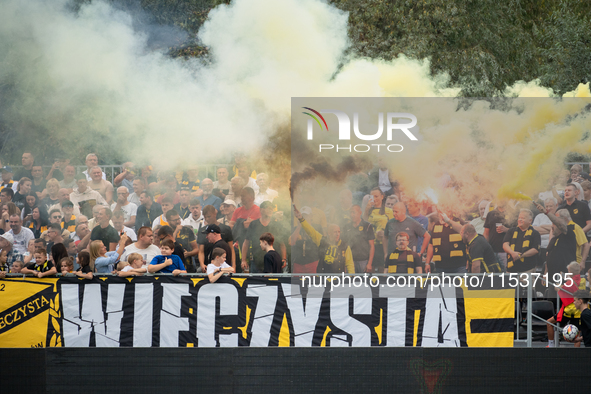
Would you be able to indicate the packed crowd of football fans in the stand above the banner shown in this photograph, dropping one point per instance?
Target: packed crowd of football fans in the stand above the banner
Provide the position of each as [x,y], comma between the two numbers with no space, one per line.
[58,221]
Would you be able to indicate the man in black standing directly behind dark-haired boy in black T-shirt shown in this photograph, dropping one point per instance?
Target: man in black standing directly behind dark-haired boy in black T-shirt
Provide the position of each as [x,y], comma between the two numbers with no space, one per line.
[257,228]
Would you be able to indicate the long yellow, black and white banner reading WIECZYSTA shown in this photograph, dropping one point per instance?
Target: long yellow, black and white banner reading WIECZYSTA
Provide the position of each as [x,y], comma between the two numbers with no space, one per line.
[165,311]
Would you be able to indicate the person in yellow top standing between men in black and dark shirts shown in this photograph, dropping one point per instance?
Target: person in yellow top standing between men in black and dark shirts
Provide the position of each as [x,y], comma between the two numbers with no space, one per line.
[378,215]
